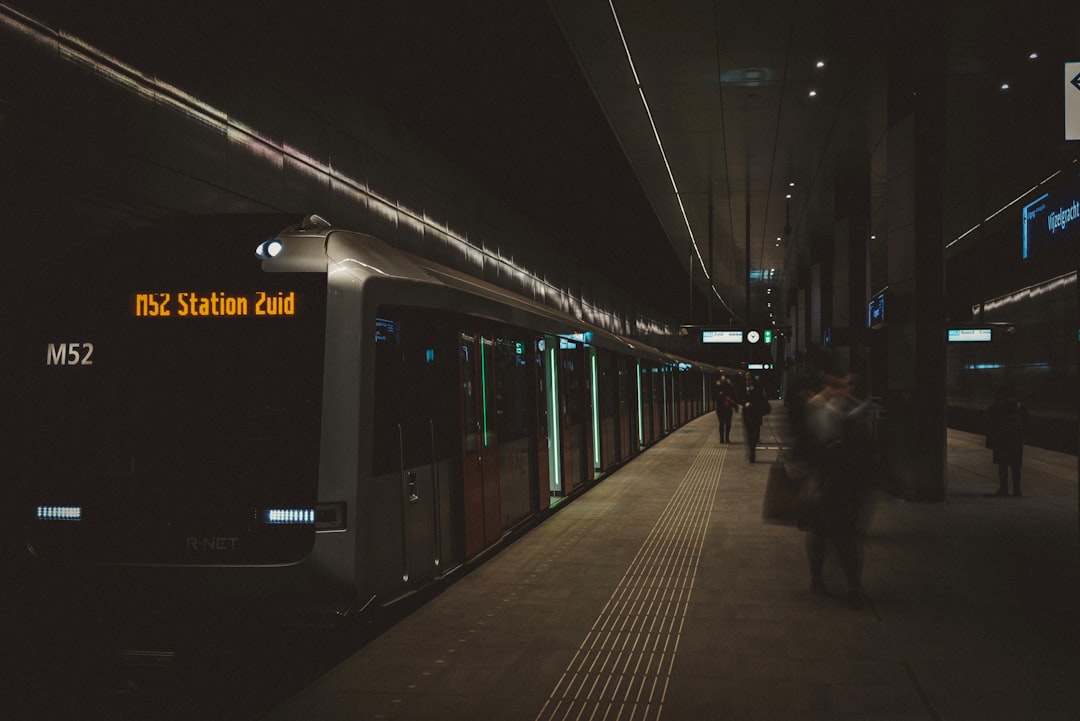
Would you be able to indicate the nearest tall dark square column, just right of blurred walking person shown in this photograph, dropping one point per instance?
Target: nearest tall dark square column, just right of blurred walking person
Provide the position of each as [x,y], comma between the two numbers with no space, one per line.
[915,397]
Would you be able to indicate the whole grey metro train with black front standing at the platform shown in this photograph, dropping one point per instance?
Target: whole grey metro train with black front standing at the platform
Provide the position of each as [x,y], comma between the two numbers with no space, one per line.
[212,415]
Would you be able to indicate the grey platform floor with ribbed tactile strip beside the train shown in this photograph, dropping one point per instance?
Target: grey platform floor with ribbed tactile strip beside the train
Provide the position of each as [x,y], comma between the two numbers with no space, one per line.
[660,594]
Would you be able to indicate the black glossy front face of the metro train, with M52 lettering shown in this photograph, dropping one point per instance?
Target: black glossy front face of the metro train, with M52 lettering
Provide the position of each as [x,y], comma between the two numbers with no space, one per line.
[170,400]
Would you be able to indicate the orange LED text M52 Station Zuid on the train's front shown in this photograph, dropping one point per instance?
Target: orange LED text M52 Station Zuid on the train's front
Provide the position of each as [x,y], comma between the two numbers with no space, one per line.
[213,305]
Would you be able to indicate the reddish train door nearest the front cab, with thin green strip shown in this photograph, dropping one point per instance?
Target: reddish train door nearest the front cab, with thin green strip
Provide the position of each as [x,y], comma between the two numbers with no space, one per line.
[480,462]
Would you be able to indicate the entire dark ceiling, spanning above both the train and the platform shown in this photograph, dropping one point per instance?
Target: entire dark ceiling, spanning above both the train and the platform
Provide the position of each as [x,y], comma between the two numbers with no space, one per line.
[539,103]
